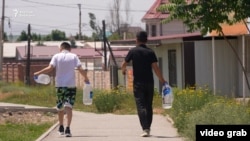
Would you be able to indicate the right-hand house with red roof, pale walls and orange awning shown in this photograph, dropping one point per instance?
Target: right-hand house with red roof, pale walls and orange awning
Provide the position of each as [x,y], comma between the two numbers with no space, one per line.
[190,59]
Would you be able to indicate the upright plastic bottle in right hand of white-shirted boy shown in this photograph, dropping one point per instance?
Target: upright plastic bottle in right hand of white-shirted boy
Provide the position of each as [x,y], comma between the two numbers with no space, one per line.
[87,94]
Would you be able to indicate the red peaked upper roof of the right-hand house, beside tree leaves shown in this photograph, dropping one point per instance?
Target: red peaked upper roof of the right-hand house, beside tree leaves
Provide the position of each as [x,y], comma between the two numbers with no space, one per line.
[152,13]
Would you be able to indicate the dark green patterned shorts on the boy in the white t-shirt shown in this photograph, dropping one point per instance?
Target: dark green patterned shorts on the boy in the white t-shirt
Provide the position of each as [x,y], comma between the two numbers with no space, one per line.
[65,97]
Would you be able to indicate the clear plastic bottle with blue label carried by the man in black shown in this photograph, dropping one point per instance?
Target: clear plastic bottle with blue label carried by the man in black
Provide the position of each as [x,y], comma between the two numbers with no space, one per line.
[167,96]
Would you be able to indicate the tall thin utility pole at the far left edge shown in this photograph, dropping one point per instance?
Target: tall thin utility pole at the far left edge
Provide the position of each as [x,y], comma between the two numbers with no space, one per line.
[1,41]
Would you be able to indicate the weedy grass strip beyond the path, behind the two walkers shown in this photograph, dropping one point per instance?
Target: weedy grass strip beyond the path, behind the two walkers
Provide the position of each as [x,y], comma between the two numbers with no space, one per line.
[117,101]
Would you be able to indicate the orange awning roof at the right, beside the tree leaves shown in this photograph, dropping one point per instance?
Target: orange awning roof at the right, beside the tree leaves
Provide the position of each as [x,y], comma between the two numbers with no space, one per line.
[231,30]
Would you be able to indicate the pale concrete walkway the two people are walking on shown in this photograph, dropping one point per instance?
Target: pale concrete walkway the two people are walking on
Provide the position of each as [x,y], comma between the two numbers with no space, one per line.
[110,127]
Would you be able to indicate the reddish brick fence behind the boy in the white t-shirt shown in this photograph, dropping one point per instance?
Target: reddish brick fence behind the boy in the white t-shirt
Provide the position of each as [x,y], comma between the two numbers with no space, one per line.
[15,72]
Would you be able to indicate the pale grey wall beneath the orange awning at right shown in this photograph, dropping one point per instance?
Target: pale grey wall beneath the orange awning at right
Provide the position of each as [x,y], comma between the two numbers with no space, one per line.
[226,73]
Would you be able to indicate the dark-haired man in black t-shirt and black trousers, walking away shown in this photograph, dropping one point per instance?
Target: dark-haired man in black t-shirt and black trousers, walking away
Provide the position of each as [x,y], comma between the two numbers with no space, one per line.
[143,61]
